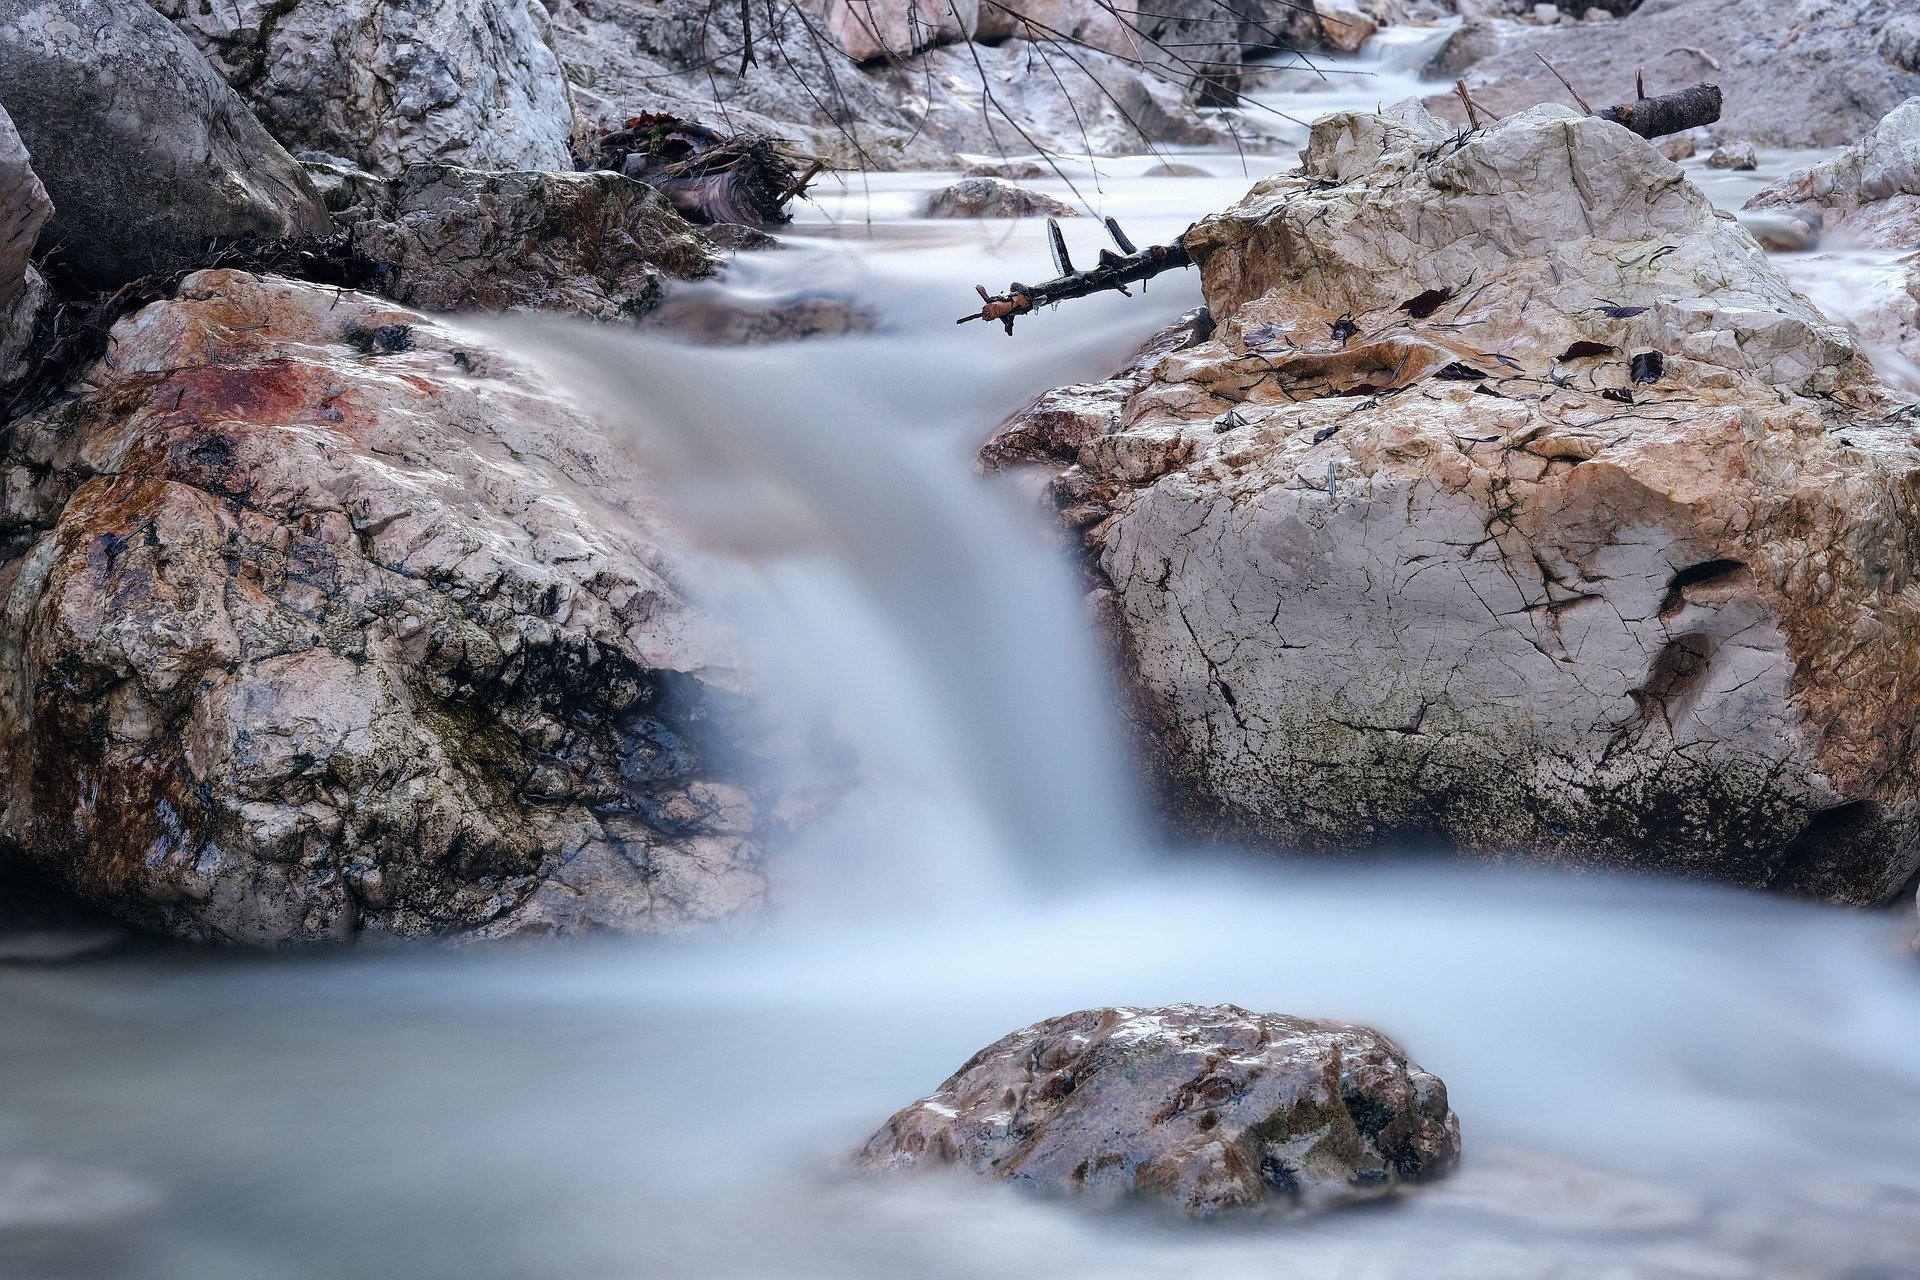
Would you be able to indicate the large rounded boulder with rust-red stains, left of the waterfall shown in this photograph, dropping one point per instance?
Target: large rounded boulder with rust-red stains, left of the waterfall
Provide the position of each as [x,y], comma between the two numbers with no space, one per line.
[324,621]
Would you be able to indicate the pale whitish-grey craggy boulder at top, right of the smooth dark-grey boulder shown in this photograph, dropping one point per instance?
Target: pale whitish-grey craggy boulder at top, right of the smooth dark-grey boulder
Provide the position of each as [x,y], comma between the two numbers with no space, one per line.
[385,85]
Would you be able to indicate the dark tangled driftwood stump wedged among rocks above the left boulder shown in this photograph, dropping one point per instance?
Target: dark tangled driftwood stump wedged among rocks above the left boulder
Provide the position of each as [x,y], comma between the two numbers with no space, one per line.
[711,178]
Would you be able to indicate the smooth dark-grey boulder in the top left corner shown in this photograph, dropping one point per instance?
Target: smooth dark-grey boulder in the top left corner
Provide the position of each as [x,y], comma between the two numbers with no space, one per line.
[145,151]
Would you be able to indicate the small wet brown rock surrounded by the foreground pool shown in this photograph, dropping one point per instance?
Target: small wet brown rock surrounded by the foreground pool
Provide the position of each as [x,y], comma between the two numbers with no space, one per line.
[1207,1110]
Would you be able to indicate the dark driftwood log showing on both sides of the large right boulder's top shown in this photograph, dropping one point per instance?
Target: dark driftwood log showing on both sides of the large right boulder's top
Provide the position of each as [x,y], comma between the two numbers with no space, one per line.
[1650,118]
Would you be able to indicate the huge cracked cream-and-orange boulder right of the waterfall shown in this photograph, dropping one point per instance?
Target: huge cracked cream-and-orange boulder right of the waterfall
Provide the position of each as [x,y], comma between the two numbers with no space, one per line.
[1516,502]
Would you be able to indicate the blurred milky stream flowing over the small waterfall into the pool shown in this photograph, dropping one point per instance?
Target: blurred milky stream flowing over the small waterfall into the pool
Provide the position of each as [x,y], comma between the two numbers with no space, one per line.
[1654,1079]
